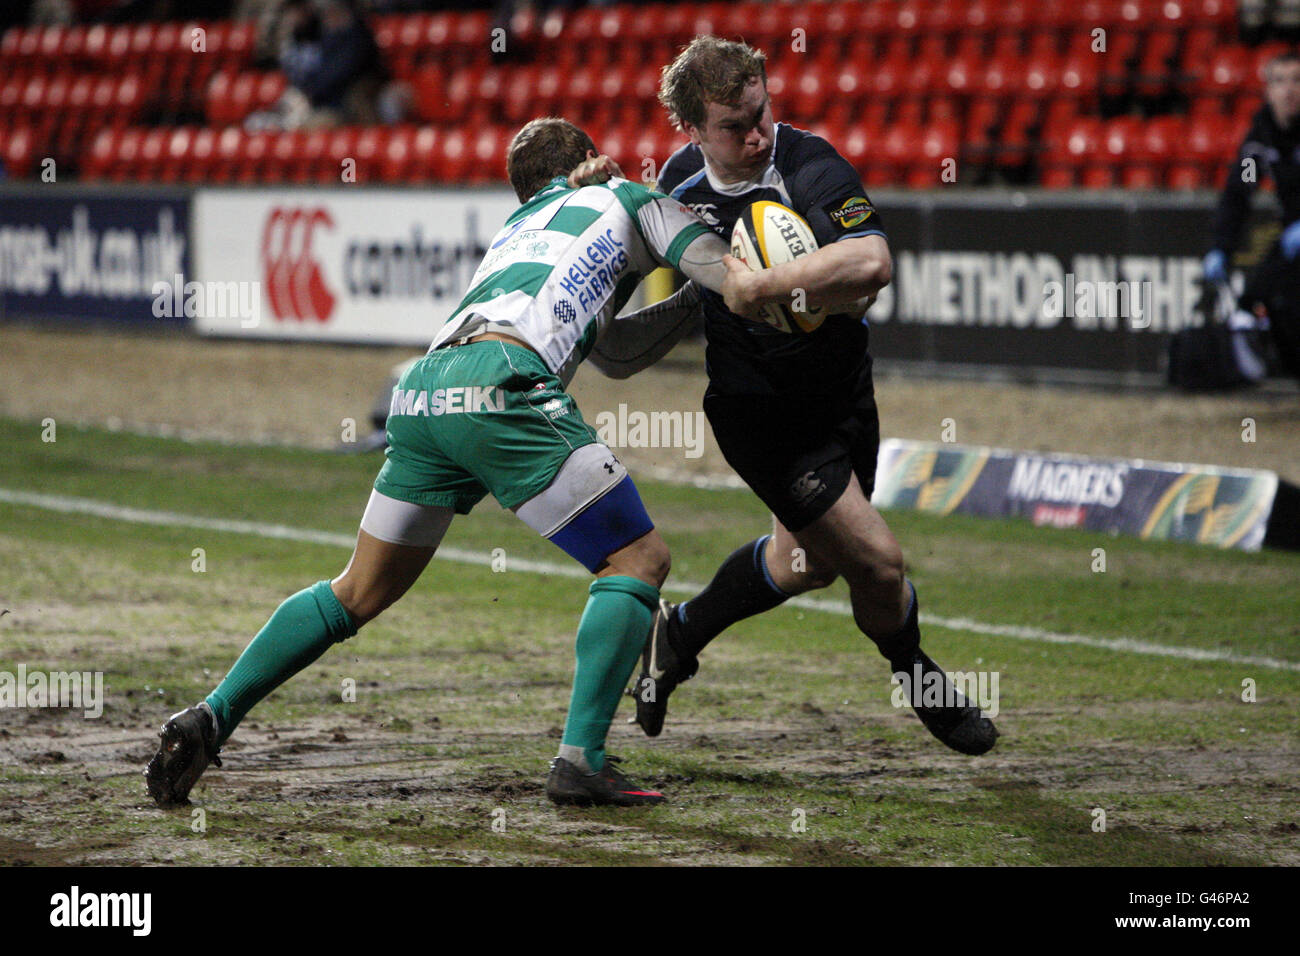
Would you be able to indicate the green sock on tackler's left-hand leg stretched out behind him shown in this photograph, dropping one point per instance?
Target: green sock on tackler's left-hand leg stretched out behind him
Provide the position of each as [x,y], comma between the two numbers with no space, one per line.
[301,630]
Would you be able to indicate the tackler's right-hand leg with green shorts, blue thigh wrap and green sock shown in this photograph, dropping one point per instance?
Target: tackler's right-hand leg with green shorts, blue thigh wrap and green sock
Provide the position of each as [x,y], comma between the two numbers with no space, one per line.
[539,458]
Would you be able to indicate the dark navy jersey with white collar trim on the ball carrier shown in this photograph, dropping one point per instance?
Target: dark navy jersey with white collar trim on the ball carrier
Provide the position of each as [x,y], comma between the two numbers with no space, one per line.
[809,176]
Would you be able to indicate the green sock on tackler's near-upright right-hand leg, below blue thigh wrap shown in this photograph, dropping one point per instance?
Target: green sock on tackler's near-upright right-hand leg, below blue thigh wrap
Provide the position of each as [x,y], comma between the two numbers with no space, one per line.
[610,638]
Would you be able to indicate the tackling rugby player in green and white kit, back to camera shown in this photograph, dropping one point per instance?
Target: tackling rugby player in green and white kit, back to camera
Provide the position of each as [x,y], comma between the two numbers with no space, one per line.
[487,412]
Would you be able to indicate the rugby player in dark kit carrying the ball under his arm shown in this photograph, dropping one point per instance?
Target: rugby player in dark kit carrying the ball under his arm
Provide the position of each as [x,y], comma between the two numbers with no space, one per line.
[794,414]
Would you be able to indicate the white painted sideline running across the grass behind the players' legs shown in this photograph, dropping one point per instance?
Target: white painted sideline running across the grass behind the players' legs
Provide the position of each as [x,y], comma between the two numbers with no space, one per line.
[99,509]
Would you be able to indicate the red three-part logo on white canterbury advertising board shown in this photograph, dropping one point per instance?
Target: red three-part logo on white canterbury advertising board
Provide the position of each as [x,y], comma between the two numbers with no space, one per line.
[292,275]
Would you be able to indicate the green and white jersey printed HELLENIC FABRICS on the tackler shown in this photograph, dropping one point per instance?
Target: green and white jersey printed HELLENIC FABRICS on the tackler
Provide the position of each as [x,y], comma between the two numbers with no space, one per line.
[565,265]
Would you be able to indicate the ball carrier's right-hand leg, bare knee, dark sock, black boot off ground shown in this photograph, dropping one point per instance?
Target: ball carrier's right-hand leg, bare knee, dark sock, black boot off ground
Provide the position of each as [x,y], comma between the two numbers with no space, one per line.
[859,544]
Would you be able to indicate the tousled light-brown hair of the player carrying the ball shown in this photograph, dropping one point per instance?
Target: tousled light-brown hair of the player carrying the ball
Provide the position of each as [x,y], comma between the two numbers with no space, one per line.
[709,71]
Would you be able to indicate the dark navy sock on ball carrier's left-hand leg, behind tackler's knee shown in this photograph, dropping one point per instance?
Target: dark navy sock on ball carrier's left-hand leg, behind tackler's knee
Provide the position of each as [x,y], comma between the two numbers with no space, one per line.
[742,589]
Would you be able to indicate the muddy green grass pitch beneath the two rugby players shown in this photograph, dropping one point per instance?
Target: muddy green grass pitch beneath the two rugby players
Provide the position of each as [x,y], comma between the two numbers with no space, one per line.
[462,689]
